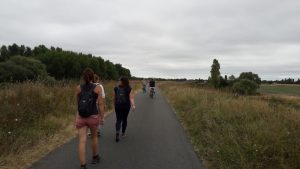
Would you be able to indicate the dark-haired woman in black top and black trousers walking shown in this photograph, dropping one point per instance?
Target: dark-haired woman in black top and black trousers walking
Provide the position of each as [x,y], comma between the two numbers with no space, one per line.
[123,98]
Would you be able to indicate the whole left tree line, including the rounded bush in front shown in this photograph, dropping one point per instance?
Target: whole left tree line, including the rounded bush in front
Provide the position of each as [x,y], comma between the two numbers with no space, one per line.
[19,63]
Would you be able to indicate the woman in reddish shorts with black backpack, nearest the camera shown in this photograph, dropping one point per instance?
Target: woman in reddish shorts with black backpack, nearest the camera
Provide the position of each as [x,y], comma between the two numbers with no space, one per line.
[88,96]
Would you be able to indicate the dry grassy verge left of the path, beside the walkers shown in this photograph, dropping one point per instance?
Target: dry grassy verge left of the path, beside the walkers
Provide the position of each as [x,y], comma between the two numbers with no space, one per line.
[36,118]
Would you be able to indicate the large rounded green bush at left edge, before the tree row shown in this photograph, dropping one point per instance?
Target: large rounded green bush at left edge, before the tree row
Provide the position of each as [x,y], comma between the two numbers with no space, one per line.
[20,68]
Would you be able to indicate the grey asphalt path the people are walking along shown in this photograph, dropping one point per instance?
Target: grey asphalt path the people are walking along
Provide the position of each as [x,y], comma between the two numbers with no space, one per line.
[155,140]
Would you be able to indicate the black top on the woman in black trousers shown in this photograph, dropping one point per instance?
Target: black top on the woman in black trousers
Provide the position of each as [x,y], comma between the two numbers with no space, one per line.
[122,97]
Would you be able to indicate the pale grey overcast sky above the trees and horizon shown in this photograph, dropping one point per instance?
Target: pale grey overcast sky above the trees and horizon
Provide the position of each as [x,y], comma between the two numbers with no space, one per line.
[165,38]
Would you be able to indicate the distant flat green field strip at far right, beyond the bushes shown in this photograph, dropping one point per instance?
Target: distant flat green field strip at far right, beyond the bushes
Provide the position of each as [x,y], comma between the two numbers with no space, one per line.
[292,90]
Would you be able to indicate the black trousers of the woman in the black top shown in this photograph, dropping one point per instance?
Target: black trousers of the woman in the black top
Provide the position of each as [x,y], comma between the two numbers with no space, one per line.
[121,114]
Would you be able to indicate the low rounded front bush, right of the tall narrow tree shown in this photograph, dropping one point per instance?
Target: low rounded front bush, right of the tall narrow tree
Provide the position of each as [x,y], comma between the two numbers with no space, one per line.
[245,86]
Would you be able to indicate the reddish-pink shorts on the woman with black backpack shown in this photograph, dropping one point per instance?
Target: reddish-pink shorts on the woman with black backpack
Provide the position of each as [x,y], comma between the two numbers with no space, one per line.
[91,122]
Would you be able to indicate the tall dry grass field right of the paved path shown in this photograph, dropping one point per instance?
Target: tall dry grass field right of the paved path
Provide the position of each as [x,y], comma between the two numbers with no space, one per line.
[230,132]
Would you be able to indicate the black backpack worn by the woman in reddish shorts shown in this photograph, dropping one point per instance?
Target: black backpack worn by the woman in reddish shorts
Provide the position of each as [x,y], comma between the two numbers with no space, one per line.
[86,100]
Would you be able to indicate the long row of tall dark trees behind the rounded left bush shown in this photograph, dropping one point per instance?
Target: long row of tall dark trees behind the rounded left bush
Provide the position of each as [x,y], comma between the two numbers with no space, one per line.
[62,64]
